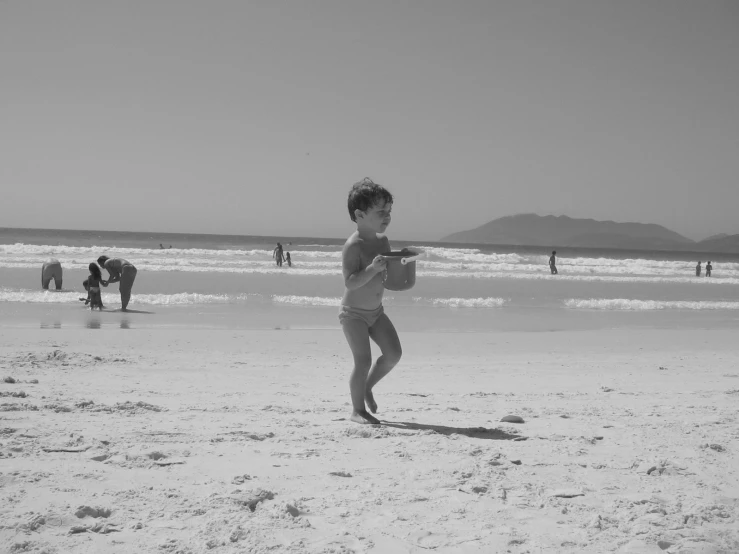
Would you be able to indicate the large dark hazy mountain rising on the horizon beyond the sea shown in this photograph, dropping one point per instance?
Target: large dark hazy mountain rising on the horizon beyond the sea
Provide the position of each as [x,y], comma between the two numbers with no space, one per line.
[559,231]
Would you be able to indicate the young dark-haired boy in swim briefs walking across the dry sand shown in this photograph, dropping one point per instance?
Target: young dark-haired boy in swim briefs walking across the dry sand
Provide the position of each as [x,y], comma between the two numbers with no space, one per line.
[362,316]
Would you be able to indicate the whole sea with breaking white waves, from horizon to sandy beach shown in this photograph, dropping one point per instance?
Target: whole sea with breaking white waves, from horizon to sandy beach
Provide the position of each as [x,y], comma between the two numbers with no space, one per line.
[233,281]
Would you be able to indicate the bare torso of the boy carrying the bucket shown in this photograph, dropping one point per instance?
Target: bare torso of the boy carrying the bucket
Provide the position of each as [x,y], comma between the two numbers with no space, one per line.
[369,296]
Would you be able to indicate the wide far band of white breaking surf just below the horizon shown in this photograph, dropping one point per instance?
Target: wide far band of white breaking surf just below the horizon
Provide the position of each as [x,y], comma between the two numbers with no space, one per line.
[456,263]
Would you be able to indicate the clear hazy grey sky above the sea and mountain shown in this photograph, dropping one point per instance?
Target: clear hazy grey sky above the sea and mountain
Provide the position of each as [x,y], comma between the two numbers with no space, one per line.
[256,117]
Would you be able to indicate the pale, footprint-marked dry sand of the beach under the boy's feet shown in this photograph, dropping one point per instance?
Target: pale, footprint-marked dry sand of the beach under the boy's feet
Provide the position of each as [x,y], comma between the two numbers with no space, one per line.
[230,441]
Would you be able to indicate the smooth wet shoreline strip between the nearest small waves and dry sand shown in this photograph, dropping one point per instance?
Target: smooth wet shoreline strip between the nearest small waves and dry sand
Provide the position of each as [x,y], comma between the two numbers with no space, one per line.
[407,319]
